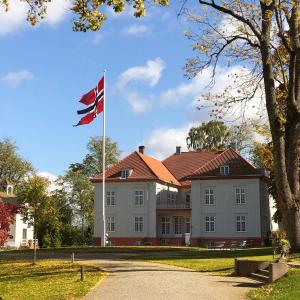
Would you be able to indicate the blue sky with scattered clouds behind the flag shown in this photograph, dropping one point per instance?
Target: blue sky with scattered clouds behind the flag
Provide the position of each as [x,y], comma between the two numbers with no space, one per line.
[45,70]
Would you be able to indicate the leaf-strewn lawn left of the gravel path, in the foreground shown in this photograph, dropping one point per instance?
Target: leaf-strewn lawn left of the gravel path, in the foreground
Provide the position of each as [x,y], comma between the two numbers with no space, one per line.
[46,280]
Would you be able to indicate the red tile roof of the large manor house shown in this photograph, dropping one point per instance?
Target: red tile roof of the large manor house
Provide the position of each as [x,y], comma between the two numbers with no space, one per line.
[179,169]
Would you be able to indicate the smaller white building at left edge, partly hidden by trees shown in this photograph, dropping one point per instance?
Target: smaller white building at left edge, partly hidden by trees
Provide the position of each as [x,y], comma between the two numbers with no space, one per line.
[21,234]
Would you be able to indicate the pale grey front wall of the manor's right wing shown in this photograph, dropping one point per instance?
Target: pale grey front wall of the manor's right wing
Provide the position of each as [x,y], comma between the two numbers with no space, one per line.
[225,208]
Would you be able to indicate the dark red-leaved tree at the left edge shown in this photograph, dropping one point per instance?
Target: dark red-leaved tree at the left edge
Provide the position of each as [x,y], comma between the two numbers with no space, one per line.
[8,213]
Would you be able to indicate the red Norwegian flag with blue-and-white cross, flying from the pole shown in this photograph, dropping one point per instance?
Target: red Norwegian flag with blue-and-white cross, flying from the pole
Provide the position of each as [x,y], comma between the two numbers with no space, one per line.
[94,99]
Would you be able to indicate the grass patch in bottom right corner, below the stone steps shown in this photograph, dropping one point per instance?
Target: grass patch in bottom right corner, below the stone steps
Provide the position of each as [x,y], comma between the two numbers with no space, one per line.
[287,288]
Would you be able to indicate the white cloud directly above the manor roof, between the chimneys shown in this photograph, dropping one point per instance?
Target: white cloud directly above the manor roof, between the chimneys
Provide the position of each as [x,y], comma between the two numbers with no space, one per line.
[171,138]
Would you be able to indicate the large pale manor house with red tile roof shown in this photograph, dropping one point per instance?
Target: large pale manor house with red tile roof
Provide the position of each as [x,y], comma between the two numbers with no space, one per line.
[190,198]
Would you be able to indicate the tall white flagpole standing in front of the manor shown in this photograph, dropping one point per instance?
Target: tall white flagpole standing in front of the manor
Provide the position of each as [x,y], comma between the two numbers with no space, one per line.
[103,240]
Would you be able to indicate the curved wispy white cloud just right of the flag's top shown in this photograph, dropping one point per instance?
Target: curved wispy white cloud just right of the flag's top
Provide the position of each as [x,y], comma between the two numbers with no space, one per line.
[150,73]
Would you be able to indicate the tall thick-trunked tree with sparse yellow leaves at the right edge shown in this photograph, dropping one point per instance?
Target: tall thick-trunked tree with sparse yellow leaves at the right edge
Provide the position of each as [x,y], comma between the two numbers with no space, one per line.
[264,36]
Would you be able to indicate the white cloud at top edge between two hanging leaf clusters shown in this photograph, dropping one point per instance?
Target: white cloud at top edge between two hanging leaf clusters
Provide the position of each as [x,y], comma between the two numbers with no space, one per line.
[56,11]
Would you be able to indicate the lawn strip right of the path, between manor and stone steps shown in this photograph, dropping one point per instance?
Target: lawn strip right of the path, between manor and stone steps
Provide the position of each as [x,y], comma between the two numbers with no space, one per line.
[209,261]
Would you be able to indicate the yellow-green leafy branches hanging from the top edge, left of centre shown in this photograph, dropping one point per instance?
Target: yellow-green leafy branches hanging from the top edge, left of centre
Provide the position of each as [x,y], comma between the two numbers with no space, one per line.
[89,13]
